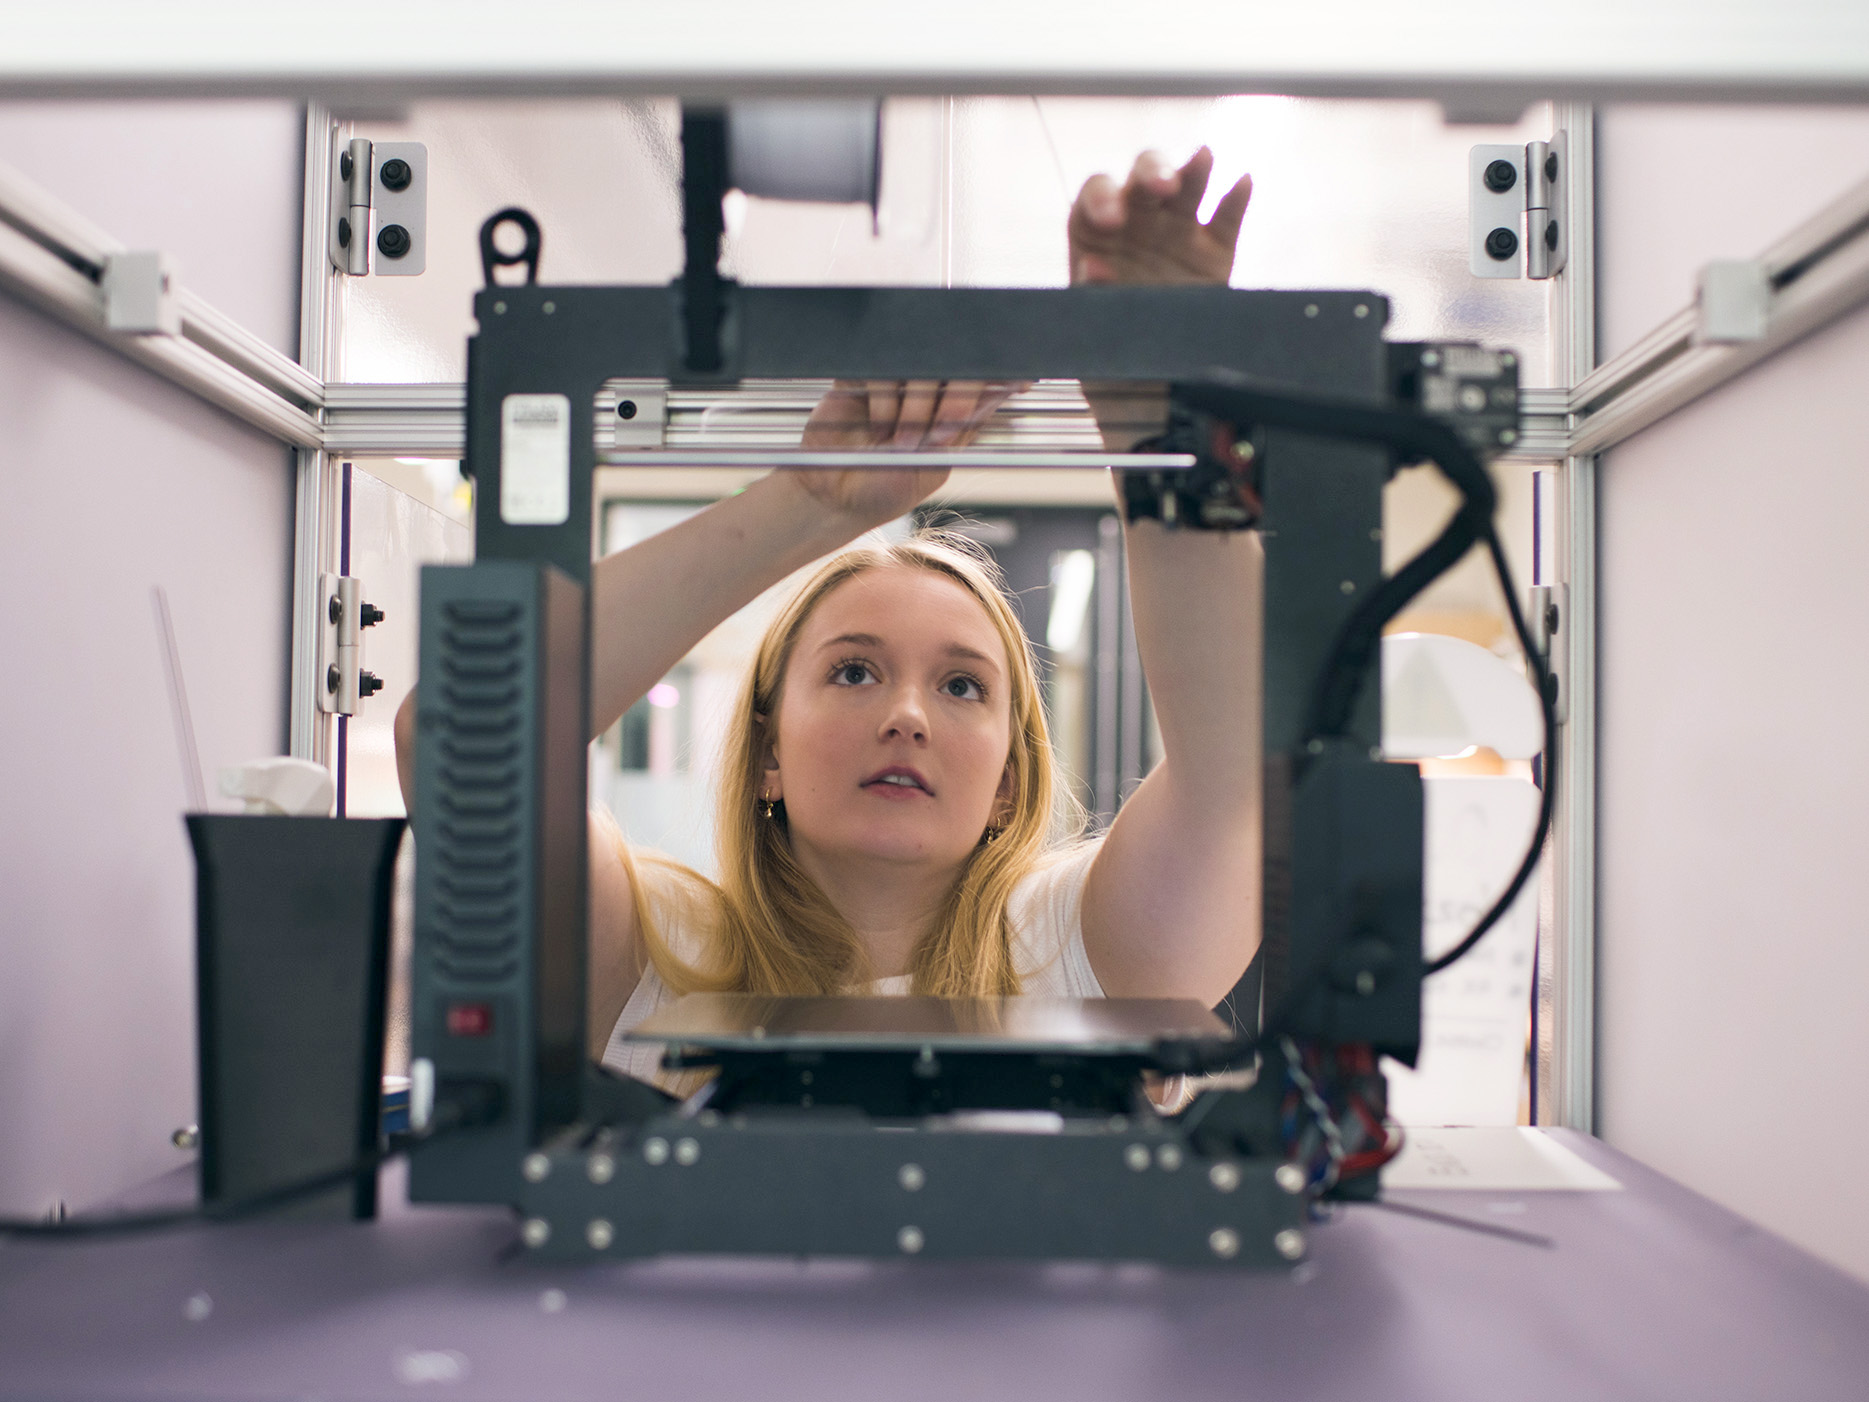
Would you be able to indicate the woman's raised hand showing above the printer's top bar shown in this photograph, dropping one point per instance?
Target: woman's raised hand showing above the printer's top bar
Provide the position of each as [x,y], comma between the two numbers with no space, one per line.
[1149,229]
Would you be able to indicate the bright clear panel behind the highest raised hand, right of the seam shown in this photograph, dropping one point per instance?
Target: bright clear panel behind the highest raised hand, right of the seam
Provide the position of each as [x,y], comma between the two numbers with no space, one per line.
[1356,195]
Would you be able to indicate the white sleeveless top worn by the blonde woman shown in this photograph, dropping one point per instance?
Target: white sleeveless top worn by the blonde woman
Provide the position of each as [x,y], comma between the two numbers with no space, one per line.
[1046,913]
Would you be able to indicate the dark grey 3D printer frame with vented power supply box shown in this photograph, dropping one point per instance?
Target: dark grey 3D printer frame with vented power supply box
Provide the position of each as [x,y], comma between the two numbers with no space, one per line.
[962,1149]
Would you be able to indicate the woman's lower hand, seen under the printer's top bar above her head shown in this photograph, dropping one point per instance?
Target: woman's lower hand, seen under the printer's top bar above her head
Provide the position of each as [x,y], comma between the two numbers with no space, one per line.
[902,416]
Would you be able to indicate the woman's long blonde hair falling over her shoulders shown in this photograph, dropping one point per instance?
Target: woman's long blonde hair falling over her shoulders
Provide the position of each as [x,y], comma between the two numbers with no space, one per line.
[773,928]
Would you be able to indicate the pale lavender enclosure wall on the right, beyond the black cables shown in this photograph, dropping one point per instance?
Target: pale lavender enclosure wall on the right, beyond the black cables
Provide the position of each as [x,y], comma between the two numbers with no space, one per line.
[1733,790]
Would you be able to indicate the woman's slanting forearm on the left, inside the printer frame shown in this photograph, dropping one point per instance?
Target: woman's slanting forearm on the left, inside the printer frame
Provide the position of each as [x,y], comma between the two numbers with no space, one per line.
[655,601]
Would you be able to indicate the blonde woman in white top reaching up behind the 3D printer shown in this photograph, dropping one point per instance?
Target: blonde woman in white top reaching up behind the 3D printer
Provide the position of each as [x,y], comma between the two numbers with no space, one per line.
[887,805]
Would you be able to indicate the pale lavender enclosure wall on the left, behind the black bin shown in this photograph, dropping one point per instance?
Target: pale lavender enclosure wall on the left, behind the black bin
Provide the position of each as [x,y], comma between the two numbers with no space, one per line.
[113,481]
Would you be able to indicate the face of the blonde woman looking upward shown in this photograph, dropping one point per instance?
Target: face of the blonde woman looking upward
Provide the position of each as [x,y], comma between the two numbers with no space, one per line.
[894,722]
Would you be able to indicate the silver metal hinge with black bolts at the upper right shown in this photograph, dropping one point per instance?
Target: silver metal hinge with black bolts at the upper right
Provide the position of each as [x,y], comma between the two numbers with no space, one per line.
[1519,223]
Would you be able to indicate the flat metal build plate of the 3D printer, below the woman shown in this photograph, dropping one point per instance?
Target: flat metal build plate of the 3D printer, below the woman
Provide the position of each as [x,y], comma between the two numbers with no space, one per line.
[1077,1027]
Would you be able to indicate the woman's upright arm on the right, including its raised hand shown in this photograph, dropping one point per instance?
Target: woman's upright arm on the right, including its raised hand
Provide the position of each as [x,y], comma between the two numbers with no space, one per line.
[1173,902]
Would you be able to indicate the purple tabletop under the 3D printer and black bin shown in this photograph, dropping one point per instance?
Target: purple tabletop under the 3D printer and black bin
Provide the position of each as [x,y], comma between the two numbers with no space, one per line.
[1649,1293]
